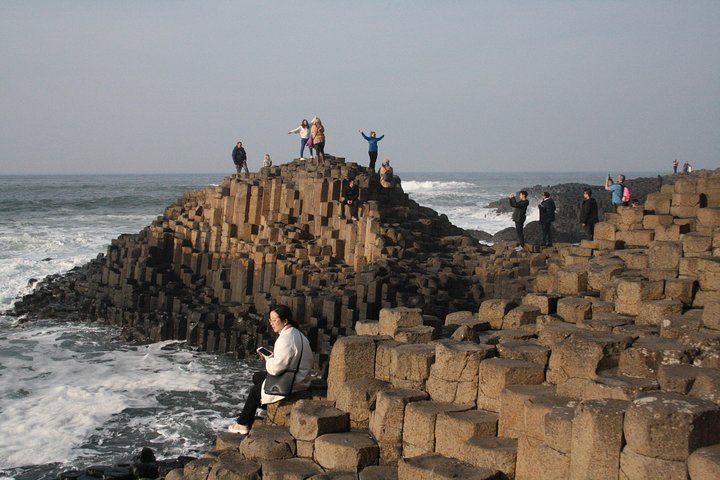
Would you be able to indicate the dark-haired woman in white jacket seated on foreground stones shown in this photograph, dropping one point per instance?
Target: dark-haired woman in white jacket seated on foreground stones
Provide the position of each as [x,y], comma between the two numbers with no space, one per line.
[291,351]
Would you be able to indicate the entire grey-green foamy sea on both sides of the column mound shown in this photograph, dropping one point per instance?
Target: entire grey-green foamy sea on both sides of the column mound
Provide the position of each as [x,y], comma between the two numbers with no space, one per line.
[74,394]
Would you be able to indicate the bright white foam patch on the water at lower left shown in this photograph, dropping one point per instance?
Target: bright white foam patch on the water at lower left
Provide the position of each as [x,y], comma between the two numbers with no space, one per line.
[57,391]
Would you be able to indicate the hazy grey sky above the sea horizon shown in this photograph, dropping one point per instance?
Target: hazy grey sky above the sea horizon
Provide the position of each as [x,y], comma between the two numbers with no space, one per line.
[170,86]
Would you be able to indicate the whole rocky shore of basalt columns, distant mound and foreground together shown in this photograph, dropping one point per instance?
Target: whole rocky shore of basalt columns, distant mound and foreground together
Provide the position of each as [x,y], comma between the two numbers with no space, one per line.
[444,359]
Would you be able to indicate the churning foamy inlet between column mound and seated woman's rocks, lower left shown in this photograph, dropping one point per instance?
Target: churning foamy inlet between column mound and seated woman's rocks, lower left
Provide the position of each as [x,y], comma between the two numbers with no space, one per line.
[72,394]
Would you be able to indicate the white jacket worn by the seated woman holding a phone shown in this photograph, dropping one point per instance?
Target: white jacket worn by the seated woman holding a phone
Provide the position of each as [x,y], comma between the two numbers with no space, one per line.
[285,353]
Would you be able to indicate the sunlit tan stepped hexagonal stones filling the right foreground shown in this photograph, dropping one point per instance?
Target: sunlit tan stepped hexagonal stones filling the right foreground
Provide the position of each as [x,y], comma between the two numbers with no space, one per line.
[608,368]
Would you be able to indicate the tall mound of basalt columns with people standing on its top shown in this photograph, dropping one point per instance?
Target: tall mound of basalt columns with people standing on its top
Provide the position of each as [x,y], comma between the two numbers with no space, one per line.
[222,254]
